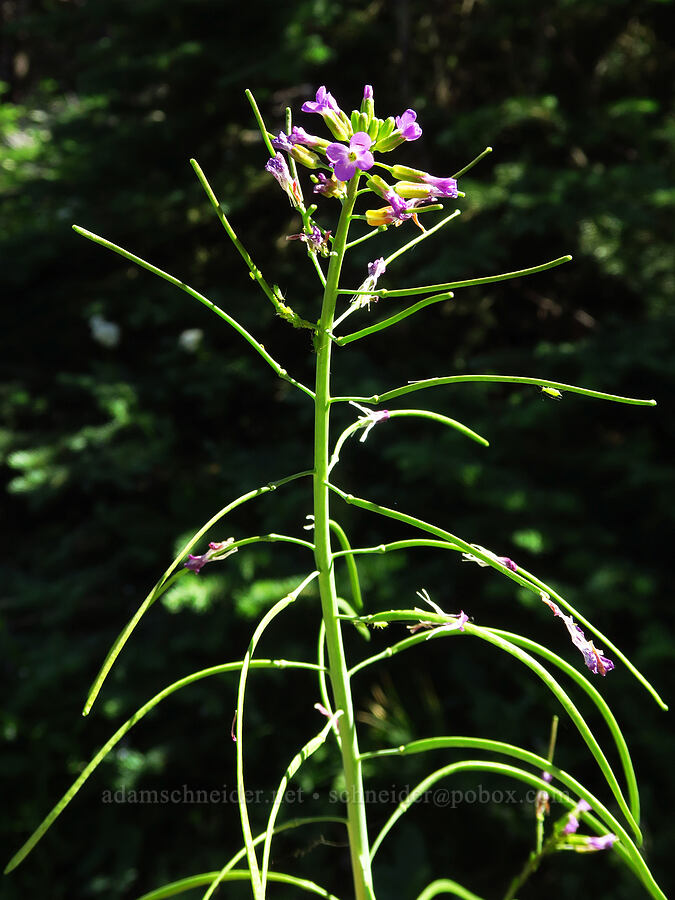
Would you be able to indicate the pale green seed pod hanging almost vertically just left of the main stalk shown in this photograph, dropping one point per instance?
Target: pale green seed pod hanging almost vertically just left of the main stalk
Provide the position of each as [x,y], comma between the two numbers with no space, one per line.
[280,606]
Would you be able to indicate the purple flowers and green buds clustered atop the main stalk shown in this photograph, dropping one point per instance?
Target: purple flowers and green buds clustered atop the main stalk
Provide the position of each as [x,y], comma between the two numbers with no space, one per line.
[358,138]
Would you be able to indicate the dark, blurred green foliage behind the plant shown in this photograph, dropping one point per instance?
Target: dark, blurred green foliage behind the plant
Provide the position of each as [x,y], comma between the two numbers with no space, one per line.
[112,455]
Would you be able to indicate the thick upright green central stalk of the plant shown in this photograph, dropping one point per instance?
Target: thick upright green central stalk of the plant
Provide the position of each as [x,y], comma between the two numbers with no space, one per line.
[356,815]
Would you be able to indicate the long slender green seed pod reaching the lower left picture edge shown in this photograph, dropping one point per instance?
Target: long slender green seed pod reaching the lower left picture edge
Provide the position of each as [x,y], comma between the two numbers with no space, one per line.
[55,812]
